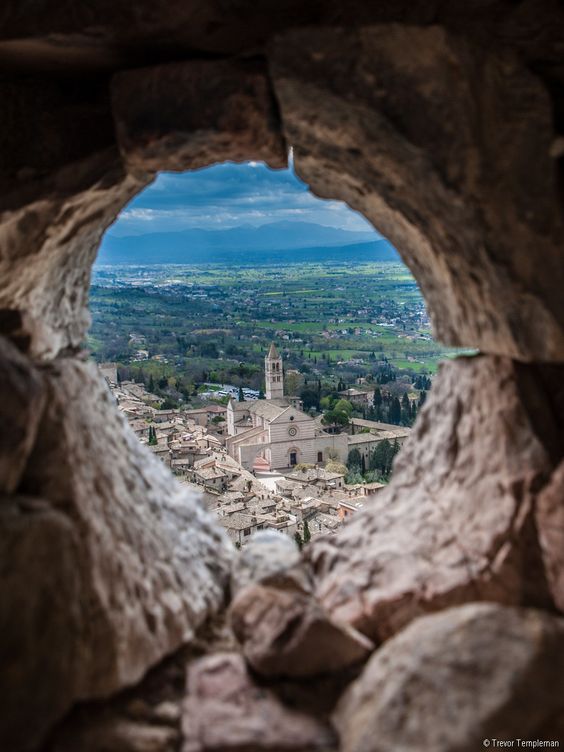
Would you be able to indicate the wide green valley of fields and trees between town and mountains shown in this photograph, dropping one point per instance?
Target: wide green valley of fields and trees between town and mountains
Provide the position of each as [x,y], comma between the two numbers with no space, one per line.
[332,319]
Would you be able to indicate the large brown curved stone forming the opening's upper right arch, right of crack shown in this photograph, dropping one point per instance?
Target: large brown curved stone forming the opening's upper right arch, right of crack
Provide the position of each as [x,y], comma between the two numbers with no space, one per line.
[432,138]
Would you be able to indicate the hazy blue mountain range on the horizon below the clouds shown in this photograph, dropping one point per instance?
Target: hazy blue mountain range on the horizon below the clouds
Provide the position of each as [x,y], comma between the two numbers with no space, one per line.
[279,241]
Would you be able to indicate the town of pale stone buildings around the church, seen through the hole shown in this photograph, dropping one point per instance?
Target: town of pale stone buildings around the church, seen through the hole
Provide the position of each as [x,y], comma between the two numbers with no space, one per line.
[266,464]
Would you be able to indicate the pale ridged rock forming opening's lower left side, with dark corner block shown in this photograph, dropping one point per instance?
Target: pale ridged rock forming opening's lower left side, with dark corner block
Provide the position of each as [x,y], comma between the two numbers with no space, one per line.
[137,562]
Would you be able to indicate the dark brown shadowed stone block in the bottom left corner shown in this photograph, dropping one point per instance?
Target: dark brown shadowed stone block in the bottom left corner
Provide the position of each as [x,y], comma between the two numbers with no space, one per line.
[42,618]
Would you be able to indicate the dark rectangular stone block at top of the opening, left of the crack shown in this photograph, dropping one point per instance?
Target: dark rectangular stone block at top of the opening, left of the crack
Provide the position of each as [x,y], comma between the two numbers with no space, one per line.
[192,114]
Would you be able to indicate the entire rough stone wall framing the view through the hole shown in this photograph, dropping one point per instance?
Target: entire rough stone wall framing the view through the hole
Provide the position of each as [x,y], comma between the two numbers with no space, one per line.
[443,124]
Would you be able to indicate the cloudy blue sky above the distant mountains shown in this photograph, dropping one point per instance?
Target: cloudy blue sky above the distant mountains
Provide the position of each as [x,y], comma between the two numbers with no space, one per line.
[230,195]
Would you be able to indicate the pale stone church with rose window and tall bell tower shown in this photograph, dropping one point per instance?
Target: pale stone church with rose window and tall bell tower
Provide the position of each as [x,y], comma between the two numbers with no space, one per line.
[275,433]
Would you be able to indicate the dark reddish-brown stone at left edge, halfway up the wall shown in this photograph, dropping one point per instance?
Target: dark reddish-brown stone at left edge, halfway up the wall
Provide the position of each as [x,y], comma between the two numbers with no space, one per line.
[21,405]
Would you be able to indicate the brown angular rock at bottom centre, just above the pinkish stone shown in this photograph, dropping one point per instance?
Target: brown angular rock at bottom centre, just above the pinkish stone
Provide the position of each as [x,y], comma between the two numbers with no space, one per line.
[285,632]
